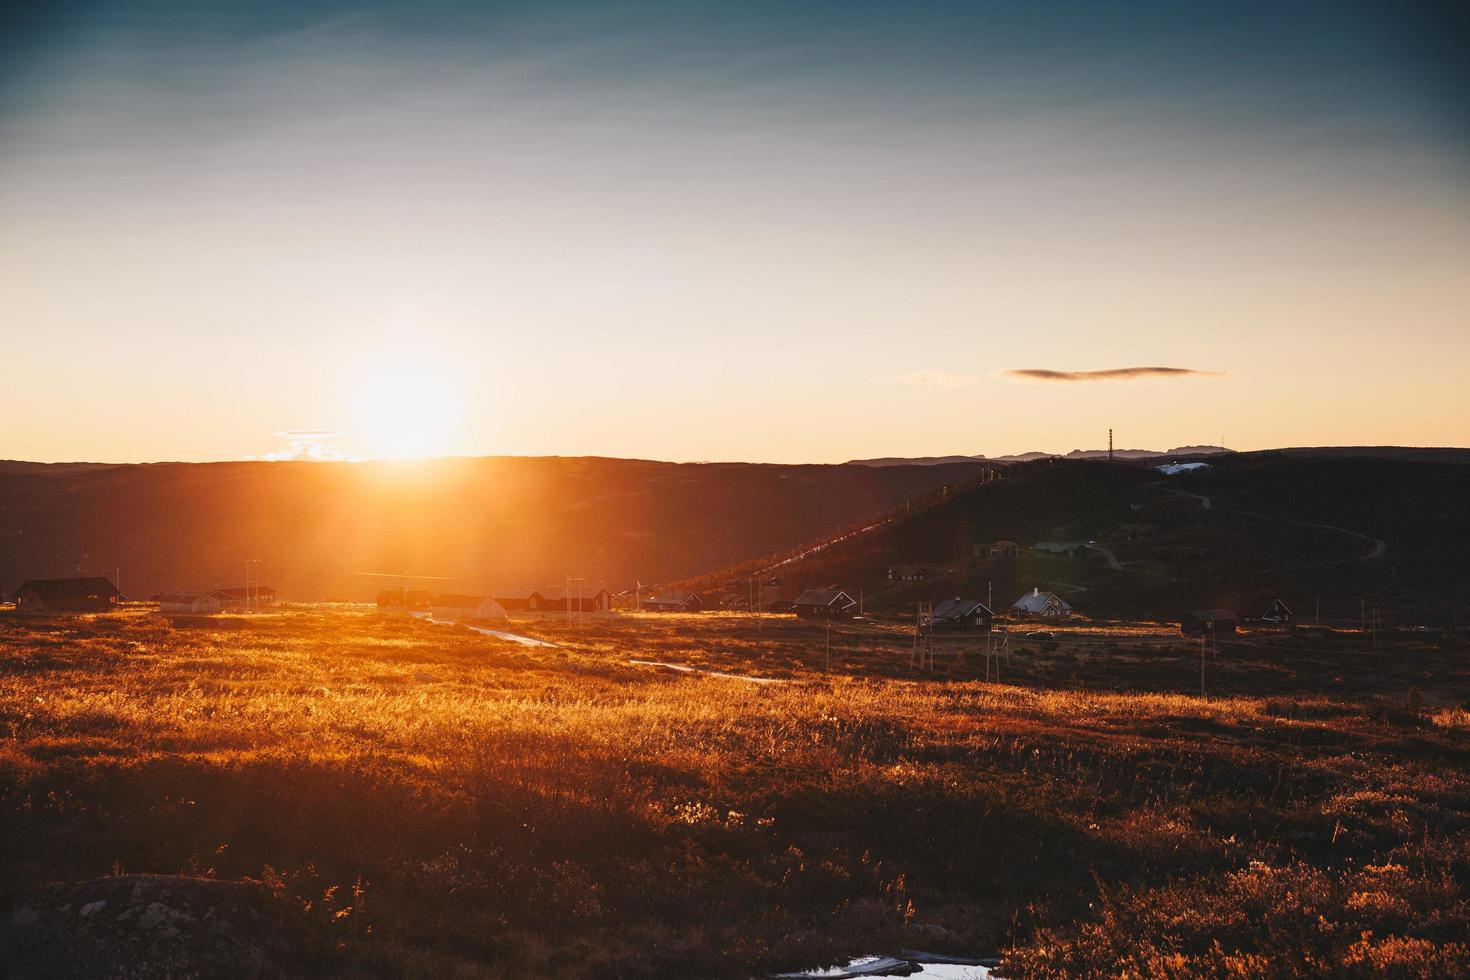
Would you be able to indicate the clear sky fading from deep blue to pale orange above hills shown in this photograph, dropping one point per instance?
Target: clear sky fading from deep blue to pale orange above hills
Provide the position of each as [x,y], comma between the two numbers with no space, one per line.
[730,231]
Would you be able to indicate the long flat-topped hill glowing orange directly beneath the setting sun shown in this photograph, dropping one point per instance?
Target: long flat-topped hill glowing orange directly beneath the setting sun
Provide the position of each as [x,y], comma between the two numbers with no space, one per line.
[481,522]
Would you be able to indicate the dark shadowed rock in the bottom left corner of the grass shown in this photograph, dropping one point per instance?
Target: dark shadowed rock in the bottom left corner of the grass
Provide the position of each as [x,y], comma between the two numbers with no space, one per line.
[164,928]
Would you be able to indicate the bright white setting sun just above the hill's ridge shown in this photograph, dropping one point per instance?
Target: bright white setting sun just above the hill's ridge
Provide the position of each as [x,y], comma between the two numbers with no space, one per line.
[408,403]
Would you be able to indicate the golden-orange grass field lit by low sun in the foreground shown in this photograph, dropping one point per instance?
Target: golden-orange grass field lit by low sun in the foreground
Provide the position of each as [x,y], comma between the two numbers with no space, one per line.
[423,799]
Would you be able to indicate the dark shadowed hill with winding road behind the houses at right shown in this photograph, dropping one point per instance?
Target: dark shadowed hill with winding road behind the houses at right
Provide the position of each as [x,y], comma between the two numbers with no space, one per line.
[1340,534]
